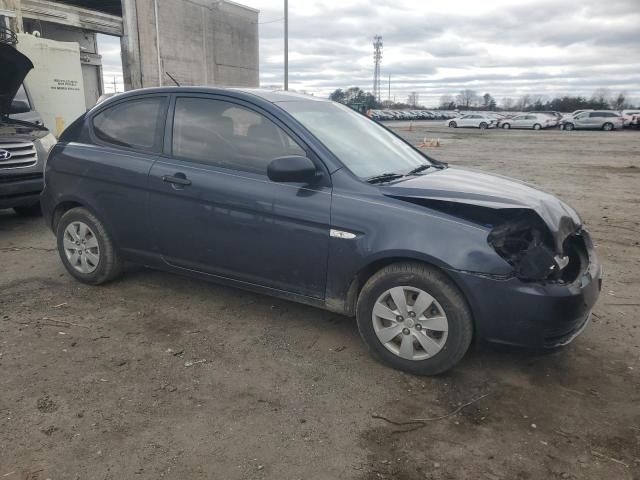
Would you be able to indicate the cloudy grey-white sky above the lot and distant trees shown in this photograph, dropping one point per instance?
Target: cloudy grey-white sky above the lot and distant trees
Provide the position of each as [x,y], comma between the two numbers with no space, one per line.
[508,48]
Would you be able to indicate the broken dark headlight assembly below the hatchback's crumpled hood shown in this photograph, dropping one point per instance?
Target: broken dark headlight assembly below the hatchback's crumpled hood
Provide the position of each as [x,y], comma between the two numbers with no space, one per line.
[525,243]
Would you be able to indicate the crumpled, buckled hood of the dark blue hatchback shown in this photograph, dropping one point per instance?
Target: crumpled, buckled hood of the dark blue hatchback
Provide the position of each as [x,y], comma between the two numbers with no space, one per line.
[465,186]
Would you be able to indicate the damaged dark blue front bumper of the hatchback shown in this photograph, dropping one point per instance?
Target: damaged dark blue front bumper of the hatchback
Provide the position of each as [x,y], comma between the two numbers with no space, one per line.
[533,314]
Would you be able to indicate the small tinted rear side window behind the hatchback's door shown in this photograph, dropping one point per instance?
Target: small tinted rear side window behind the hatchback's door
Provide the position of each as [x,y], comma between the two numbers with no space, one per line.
[132,124]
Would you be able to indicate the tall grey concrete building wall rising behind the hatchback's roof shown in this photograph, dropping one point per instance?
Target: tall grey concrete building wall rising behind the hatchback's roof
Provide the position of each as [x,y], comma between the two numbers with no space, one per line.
[199,42]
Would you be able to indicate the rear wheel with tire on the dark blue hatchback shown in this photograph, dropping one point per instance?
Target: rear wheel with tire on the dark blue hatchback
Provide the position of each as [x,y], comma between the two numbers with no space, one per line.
[88,270]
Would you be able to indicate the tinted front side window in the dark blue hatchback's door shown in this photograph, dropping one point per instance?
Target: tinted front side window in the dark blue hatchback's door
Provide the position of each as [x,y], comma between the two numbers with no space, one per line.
[228,135]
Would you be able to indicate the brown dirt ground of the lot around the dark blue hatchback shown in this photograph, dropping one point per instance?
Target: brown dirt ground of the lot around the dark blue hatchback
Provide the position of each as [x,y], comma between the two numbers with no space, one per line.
[158,376]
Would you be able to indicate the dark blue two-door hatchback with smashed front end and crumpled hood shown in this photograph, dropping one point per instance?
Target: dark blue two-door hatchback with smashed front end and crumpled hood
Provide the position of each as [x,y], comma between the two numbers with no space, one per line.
[304,199]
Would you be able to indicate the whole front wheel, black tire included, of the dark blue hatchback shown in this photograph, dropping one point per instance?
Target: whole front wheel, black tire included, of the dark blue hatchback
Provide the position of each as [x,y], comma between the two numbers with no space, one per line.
[448,301]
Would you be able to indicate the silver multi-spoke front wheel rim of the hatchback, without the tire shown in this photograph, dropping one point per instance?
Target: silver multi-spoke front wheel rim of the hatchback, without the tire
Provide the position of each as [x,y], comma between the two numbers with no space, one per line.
[410,323]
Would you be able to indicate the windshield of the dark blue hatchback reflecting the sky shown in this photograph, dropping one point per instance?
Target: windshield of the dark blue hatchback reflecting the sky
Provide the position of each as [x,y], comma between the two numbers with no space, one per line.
[363,146]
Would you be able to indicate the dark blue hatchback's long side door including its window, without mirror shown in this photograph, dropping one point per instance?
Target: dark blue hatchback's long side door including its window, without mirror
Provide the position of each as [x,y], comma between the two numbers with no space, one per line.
[214,210]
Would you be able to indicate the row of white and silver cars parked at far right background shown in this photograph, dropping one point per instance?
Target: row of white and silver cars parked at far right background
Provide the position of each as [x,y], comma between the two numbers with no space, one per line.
[579,120]
